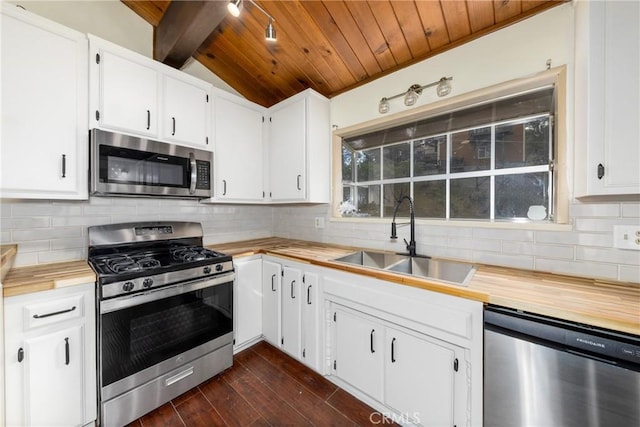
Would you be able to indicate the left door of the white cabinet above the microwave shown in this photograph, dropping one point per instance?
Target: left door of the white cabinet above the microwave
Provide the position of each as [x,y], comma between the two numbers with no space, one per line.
[128,94]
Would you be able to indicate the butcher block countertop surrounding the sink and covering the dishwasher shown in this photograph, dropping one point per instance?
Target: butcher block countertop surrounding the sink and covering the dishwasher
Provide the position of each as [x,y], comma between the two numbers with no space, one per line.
[605,304]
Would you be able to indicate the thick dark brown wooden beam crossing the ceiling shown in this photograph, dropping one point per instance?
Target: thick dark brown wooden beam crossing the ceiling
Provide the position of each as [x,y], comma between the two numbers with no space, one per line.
[184,27]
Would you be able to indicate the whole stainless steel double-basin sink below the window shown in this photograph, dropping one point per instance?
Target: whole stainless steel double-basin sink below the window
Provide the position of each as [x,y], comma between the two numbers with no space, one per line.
[453,272]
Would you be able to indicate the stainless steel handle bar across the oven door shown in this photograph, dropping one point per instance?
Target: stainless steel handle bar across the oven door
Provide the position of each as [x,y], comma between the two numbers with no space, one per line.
[126,301]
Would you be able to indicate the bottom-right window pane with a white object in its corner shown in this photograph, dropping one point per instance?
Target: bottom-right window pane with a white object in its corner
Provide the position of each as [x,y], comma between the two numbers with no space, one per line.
[517,194]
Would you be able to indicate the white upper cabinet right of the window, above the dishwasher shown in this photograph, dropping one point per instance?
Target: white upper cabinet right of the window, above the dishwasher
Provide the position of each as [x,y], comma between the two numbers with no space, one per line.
[607,98]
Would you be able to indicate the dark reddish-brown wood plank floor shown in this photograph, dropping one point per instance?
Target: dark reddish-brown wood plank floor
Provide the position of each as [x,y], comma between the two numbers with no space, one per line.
[265,387]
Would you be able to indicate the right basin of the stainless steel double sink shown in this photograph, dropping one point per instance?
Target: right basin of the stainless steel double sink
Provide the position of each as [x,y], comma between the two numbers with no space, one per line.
[458,273]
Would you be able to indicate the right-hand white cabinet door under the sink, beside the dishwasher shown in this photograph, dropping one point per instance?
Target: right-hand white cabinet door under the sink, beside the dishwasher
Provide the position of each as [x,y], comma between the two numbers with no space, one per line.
[419,378]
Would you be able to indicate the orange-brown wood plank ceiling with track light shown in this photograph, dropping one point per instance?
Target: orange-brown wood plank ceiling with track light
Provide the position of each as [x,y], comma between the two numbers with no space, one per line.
[334,45]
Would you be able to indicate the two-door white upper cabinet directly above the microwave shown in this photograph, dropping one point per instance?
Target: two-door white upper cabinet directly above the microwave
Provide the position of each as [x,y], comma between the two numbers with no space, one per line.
[133,94]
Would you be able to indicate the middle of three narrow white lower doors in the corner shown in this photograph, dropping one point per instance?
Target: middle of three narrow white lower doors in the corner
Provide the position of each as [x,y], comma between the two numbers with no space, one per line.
[291,314]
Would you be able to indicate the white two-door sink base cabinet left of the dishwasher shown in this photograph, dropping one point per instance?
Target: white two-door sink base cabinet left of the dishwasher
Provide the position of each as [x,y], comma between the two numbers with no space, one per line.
[413,355]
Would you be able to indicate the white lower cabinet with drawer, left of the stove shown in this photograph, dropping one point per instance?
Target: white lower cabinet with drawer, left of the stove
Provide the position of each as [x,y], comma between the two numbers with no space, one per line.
[50,358]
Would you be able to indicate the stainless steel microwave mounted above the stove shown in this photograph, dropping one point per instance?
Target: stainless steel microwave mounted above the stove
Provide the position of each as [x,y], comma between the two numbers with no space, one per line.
[126,165]
